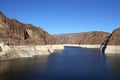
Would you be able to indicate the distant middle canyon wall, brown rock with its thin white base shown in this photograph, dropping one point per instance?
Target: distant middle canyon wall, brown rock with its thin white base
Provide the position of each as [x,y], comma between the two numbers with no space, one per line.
[92,39]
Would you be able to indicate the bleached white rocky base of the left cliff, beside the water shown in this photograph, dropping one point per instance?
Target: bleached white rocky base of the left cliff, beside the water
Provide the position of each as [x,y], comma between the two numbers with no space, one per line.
[10,52]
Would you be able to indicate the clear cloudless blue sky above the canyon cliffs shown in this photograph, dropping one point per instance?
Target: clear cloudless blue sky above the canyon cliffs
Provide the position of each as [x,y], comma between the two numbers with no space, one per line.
[65,16]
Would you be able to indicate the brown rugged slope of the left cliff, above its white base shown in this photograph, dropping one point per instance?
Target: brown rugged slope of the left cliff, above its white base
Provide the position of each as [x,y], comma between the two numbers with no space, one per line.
[17,33]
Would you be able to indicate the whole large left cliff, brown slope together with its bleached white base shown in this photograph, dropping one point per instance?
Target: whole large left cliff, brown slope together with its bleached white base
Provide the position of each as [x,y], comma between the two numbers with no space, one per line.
[24,40]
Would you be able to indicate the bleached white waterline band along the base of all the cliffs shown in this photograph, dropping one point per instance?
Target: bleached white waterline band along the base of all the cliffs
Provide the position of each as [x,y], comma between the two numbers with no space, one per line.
[24,51]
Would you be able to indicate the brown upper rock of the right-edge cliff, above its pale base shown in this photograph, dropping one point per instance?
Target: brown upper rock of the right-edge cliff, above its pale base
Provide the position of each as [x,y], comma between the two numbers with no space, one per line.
[113,38]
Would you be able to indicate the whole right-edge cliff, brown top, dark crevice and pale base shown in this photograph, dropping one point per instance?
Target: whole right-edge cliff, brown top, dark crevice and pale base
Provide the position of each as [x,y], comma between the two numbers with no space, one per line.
[112,43]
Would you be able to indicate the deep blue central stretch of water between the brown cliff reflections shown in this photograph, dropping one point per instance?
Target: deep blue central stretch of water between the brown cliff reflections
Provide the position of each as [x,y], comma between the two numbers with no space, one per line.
[77,64]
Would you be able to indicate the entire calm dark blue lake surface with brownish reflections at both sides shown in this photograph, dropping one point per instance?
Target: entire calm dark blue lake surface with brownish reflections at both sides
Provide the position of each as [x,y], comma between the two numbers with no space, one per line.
[69,64]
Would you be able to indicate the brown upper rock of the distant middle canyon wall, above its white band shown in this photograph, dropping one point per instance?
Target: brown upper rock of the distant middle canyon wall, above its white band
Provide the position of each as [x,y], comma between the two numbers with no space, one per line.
[95,37]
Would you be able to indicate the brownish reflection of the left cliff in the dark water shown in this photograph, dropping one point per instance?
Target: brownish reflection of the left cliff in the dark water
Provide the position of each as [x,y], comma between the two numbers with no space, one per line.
[18,69]
